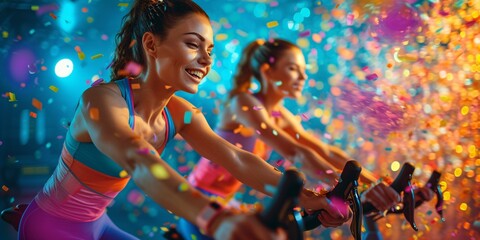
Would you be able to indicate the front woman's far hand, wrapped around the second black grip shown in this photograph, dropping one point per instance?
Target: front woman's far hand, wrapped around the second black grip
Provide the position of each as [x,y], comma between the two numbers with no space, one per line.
[334,212]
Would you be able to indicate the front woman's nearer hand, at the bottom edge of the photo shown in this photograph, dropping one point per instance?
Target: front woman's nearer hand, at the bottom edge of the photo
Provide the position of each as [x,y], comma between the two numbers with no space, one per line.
[244,226]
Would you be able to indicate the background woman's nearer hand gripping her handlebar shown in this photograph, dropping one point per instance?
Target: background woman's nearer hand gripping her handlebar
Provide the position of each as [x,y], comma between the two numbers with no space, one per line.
[381,196]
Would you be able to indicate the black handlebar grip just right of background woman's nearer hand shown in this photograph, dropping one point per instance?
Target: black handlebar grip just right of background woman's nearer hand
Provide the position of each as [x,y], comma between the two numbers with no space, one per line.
[402,184]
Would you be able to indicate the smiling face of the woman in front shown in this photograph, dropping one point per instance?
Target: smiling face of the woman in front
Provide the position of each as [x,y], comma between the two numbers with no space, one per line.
[183,57]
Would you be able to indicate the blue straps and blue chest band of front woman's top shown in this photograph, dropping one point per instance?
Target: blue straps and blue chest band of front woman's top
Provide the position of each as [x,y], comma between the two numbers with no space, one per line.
[88,154]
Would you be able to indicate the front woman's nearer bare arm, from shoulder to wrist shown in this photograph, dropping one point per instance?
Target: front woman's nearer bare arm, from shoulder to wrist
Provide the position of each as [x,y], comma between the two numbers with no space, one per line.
[104,115]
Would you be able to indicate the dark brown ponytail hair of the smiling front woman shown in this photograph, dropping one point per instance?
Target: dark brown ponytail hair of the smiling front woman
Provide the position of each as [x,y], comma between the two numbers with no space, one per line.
[155,16]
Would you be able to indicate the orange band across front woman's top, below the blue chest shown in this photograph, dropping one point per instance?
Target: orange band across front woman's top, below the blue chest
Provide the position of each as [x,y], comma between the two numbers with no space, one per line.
[94,179]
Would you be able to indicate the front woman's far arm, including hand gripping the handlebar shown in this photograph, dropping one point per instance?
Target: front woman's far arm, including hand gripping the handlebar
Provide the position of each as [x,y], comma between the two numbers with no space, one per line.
[245,166]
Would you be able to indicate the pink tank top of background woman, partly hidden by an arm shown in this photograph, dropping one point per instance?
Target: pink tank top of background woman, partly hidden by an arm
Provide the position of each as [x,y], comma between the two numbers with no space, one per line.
[214,178]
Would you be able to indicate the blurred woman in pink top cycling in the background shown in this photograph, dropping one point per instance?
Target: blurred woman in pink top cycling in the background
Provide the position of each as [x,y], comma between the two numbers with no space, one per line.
[255,120]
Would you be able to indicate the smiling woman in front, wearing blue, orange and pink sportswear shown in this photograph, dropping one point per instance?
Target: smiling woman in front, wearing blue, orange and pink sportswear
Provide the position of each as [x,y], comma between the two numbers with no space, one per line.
[120,129]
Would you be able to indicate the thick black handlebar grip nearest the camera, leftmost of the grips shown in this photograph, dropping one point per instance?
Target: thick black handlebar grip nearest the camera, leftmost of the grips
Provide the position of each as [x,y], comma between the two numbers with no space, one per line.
[283,201]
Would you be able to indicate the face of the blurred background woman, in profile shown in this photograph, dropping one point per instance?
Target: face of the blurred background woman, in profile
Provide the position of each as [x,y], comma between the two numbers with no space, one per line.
[288,75]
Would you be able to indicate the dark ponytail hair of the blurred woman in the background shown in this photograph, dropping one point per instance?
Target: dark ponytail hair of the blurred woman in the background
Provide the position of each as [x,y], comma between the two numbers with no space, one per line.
[254,55]
